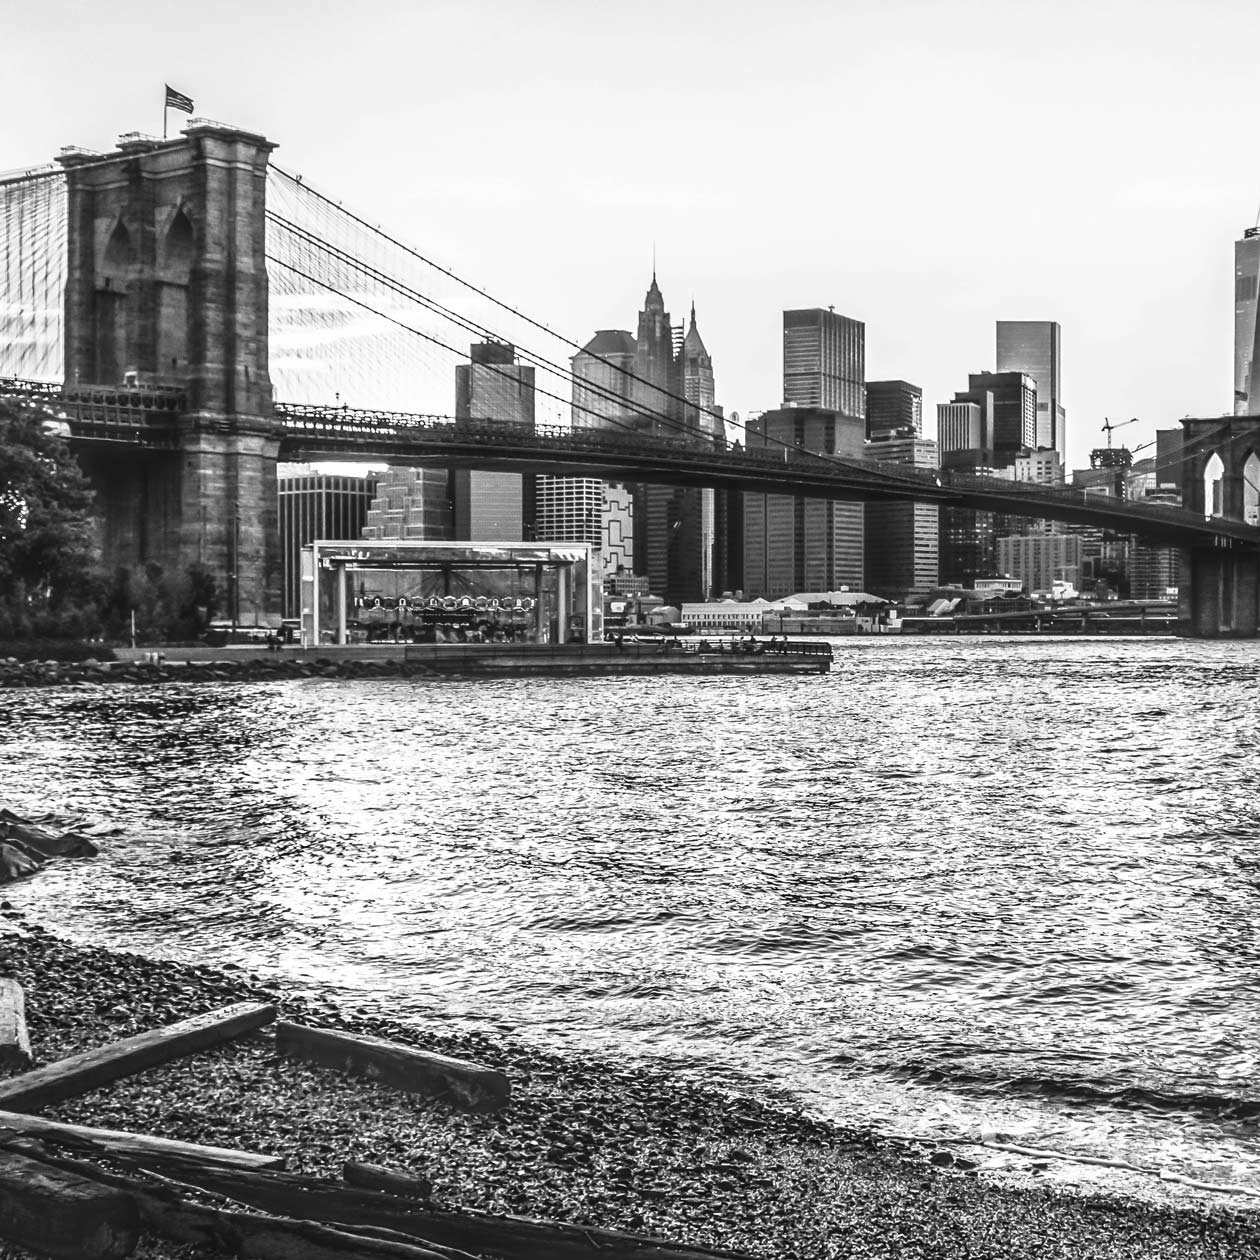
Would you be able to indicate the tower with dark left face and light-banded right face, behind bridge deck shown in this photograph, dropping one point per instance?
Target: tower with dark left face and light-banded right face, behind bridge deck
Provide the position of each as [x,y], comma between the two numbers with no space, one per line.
[903,540]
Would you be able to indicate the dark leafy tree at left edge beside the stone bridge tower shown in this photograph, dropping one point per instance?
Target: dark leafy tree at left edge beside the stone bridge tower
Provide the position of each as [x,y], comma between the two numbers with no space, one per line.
[47,554]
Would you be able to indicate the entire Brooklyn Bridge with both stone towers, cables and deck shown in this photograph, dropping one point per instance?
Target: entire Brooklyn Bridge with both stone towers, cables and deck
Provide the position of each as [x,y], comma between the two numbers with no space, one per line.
[147,295]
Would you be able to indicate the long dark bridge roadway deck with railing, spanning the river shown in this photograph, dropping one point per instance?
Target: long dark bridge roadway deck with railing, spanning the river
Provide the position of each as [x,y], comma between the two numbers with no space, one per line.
[154,419]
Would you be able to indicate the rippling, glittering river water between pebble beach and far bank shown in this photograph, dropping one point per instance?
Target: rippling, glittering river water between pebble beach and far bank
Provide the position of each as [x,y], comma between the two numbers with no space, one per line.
[956,886]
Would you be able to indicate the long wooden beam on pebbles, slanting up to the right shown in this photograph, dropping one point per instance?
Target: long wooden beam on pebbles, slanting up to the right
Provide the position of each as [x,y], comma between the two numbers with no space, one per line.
[80,1074]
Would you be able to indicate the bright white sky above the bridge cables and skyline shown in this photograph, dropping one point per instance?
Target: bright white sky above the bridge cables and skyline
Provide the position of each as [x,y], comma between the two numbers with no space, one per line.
[928,168]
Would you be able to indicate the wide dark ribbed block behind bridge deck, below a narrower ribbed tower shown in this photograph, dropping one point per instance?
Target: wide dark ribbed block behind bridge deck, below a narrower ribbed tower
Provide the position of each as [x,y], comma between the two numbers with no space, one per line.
[792,544]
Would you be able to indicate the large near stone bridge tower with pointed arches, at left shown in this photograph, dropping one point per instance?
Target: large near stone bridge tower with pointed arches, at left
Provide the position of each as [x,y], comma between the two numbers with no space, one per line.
[167,299]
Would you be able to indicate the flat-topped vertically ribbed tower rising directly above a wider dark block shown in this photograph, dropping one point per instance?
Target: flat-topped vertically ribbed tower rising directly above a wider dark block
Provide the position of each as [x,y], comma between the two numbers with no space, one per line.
[825,361]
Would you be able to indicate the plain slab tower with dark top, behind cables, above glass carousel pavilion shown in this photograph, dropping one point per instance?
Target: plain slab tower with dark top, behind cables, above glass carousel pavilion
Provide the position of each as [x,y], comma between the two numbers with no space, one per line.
[493,387]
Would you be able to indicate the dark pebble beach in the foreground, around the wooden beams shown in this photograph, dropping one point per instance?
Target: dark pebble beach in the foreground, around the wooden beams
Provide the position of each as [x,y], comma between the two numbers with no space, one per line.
[581,1141]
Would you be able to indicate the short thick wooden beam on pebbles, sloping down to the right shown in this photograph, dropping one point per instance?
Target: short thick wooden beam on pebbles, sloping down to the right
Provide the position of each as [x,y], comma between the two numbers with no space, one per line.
[418,1072]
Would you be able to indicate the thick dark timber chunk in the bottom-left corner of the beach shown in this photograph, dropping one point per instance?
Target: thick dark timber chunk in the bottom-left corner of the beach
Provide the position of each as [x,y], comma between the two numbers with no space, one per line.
[60,1214]
